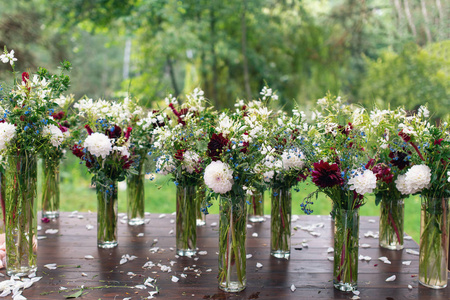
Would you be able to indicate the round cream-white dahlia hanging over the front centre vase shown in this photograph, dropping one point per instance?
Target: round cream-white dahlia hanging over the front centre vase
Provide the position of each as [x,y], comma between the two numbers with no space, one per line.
[219,177]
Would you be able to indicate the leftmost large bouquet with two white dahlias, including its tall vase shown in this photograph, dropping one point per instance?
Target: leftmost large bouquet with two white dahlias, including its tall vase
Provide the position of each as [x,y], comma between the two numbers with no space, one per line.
[27,129]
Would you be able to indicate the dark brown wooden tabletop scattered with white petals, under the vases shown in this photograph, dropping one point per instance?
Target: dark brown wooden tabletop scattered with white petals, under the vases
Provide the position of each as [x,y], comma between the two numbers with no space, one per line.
[308,269]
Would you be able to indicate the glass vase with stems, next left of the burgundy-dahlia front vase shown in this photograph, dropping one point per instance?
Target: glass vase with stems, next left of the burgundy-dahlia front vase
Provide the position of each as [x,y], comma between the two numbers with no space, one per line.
[280,223]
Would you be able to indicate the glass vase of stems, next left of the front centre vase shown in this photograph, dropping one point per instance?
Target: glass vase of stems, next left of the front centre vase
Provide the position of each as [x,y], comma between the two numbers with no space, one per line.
[186,222]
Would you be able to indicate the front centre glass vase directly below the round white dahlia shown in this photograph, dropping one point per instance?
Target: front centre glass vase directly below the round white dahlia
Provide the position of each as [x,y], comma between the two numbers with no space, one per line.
[232,234]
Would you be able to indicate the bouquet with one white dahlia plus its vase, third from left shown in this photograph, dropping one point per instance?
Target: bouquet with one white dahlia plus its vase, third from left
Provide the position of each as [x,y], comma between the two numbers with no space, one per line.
[104,148]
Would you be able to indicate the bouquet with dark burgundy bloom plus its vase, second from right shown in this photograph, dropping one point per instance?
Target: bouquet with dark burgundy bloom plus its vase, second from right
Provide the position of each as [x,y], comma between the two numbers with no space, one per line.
[389,164]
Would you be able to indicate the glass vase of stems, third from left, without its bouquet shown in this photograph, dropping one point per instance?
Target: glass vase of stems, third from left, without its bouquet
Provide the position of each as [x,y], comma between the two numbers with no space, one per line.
[106,213]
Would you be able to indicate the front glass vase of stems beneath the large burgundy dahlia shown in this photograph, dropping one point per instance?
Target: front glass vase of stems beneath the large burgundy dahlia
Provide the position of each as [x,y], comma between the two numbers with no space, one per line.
[346,239]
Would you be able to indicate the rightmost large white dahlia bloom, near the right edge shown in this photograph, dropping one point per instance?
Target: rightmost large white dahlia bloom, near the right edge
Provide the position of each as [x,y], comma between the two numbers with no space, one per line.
[416,179]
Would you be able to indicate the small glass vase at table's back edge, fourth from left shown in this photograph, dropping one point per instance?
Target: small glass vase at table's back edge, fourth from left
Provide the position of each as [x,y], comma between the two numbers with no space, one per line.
[136,195]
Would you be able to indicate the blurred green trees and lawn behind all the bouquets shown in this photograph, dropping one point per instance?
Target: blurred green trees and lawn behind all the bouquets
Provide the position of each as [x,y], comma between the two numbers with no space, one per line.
[372,52]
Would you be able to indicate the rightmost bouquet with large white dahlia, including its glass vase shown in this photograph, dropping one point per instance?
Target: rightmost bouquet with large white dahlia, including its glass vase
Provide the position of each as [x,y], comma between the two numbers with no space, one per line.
[428,147]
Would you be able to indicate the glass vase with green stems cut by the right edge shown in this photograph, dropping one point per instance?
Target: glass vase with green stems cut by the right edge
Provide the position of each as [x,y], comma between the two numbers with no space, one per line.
[434,230]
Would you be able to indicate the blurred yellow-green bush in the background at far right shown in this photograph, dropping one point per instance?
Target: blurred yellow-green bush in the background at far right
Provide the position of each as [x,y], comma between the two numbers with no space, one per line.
[413,77]
